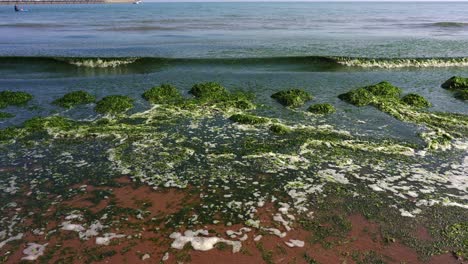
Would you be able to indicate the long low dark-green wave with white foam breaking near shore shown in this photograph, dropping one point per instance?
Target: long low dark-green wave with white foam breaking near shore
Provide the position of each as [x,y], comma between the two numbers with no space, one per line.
[320,61]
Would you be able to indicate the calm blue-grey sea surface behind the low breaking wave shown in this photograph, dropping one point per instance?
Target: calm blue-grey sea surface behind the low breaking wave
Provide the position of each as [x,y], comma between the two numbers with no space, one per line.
[237,30]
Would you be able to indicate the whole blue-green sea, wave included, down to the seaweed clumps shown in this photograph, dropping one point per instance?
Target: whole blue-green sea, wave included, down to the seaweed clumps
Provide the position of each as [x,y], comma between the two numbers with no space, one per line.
[324,48]
